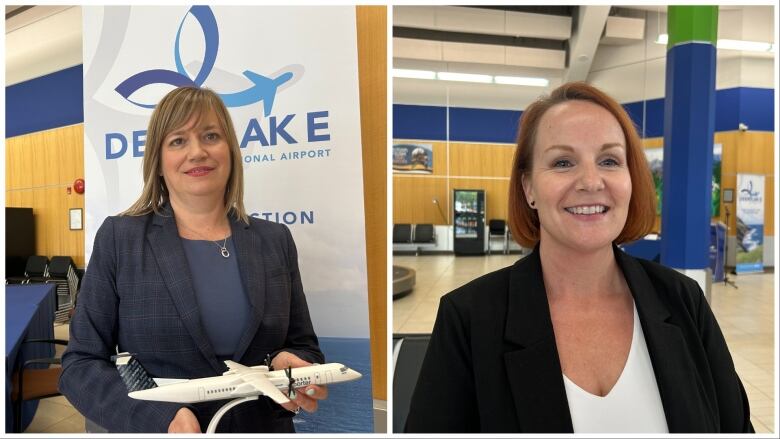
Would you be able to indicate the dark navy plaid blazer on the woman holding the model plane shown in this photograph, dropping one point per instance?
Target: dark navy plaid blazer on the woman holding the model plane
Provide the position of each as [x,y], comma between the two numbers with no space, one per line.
[137,294]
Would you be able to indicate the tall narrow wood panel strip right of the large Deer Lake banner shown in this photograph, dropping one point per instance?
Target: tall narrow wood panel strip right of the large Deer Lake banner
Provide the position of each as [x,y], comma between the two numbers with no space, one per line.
[372,66]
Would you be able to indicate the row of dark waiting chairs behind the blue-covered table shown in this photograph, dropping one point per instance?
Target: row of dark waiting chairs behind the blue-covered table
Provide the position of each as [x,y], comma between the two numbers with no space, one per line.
[60,271]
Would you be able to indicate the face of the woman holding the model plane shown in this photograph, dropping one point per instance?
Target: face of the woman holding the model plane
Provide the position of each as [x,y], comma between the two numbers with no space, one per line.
[195,160]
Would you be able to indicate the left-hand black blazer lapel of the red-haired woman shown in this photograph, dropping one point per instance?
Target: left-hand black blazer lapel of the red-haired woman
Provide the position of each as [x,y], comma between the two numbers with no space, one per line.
[534,368]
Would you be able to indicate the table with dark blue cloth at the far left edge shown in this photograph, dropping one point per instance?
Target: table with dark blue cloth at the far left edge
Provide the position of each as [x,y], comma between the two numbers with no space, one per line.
[29,313]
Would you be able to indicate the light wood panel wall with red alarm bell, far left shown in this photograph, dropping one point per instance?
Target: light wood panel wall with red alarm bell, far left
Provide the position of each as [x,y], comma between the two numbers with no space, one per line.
[39,167]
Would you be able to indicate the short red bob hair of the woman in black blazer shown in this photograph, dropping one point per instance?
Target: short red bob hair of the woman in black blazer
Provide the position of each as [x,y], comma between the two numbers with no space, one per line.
[524,221]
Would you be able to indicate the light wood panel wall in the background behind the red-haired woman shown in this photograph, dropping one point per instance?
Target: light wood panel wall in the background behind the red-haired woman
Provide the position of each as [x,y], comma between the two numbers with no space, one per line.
[487,166]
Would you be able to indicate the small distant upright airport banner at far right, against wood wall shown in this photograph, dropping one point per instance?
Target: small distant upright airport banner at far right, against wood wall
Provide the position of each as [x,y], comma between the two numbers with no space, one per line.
[750,223]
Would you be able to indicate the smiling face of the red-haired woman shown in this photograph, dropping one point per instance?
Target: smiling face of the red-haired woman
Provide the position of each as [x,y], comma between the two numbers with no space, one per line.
[580,183]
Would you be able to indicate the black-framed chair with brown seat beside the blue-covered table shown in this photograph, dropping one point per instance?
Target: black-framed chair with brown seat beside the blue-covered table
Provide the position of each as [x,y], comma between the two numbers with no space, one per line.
[35,383]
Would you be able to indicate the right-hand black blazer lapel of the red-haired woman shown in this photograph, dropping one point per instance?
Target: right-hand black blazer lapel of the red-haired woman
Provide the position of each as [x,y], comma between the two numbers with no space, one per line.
[681,389]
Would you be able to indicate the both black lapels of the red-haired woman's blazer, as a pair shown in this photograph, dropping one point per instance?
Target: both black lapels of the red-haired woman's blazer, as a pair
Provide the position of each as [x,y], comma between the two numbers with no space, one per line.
[534,369]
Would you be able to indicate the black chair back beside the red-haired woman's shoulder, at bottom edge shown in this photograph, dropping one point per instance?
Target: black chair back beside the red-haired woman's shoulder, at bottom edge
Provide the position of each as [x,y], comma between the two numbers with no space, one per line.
[408,354]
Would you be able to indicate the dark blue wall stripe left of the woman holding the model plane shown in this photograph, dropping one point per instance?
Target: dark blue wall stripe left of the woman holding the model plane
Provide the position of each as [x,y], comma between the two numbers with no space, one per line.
[51,101]
